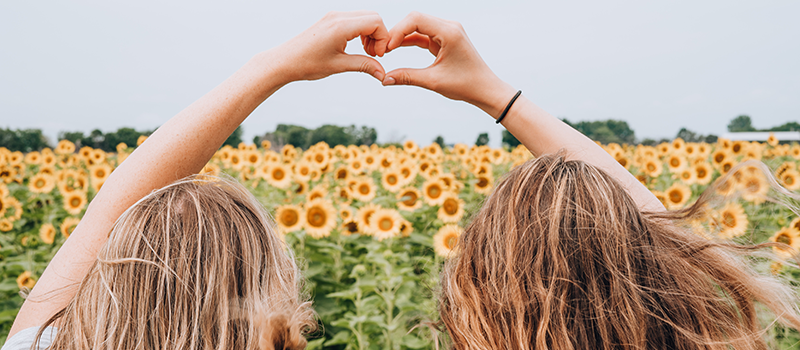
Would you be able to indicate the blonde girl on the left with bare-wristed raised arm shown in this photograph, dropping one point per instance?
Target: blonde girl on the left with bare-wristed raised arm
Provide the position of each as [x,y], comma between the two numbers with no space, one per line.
[192,264]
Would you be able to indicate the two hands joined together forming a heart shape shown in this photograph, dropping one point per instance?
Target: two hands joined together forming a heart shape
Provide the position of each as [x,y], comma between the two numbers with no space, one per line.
[458,72]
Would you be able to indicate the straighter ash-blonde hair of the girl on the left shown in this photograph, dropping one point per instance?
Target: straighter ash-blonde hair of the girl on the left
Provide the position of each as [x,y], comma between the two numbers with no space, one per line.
[194,265]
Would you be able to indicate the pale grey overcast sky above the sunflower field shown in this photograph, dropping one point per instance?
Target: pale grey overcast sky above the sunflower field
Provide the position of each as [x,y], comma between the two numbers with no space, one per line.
[660,66]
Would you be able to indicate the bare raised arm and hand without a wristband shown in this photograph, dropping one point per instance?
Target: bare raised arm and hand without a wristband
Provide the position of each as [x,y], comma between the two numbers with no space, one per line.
[184,144]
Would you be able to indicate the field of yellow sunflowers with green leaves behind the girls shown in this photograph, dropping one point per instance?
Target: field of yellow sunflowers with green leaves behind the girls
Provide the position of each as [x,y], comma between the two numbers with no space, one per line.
[371,226]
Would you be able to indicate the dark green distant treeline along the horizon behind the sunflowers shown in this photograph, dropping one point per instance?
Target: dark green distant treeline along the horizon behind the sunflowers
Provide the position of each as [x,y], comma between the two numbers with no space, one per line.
[605,131]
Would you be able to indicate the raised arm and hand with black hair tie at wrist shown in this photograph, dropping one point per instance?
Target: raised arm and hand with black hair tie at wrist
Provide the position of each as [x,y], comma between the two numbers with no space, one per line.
[459,73]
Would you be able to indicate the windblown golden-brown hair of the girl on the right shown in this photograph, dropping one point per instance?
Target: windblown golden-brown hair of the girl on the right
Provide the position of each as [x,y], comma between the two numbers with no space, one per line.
[561,257]
